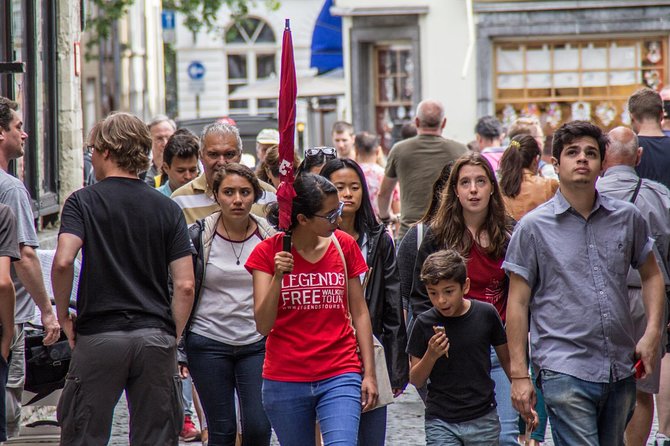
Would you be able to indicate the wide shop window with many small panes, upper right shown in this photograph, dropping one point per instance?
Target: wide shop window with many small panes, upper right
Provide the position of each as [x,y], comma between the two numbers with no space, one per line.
[562,81]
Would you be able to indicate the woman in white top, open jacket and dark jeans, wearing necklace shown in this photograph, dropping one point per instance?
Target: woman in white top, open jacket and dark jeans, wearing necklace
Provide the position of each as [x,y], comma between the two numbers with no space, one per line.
[225,352]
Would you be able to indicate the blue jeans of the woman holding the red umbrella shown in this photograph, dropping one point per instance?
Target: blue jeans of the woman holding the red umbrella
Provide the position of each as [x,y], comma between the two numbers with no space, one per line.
[294,408]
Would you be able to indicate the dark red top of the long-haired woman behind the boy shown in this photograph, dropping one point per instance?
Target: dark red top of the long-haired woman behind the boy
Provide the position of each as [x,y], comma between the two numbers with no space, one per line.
[488,282]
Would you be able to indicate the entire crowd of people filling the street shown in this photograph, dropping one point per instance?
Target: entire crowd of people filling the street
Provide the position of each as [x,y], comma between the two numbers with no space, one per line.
[516,281]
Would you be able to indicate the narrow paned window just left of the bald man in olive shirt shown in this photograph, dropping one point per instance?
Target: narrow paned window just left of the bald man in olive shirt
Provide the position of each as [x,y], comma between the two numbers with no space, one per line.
[394,89]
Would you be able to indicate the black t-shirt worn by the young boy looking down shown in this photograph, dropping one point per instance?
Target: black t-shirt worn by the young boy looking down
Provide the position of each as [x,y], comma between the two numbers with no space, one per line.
[460,387]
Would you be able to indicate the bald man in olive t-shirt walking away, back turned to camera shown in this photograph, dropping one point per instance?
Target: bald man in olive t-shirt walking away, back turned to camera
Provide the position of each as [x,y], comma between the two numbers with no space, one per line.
[416,163]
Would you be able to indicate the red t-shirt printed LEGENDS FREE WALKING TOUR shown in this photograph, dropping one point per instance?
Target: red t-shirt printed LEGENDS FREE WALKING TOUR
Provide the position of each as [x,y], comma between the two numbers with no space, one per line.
[312,338]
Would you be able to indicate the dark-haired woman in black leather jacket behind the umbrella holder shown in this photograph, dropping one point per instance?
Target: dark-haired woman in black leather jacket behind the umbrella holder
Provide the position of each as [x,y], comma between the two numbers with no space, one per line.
[380,284]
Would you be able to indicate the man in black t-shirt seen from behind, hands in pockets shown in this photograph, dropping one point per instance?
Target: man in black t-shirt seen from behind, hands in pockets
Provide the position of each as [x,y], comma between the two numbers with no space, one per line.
[126,326]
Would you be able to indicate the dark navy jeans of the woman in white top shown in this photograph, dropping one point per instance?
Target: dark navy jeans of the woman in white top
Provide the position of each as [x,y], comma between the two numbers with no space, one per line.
[218,371]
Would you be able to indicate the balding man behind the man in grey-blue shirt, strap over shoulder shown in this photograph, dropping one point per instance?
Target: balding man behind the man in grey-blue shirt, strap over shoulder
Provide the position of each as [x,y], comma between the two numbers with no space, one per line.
[621,181]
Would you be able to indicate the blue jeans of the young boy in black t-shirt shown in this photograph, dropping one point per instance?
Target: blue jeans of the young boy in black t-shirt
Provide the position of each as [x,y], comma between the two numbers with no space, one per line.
[482,431]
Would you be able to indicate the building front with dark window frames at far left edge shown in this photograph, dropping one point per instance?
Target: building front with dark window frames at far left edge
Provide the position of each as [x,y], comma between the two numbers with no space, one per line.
[39,68]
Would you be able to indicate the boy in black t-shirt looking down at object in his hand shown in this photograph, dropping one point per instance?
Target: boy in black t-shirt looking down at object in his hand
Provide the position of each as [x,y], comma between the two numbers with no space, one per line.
[450,344]
